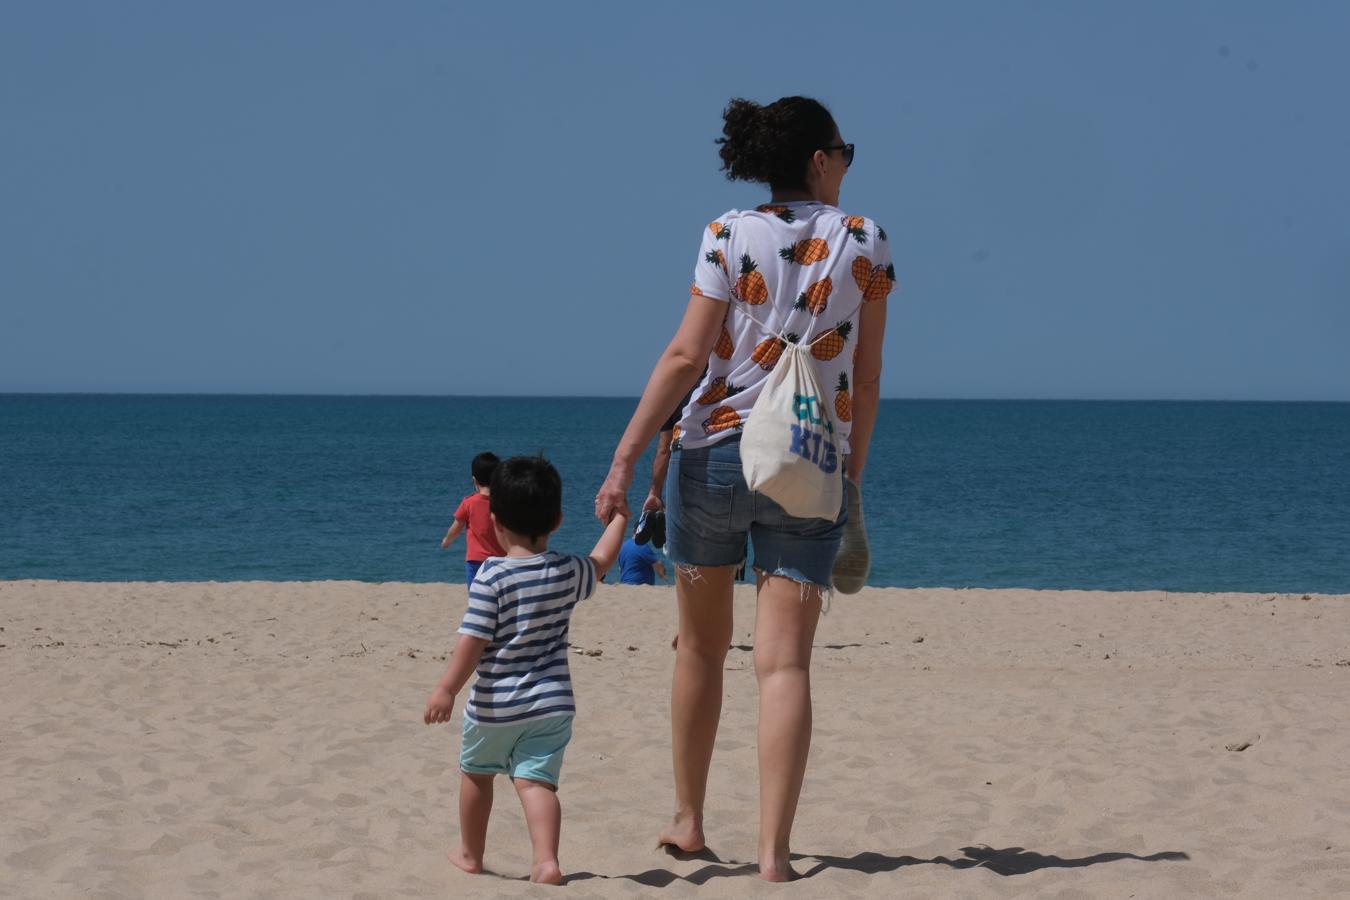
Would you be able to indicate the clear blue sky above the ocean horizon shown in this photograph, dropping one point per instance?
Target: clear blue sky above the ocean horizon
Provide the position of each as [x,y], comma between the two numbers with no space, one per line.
[1093,200]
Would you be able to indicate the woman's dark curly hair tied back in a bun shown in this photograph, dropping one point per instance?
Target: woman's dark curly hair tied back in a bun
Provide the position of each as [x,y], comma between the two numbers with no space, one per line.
[773,145]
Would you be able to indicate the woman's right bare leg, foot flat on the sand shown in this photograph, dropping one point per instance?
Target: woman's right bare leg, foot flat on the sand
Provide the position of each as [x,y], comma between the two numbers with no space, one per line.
[785,627]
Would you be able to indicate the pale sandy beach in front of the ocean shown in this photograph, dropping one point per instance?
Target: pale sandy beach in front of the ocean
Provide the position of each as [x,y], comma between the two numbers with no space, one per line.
[238,740]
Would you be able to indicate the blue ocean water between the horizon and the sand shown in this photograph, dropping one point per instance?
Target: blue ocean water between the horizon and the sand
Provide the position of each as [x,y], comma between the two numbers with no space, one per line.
[1114,496]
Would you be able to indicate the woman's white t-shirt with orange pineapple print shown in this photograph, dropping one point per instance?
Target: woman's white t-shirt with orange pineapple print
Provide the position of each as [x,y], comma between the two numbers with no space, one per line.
[801,269]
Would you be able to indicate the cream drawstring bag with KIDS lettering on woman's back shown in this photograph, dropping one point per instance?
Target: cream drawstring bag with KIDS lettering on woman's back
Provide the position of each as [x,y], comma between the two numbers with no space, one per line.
[788,445]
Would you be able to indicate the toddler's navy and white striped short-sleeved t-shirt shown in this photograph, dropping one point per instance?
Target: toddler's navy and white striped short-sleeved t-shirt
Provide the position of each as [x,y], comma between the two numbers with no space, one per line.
[522,607]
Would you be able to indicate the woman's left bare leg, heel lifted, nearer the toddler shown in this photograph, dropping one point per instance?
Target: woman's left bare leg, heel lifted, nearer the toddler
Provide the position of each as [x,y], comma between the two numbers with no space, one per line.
[705,634]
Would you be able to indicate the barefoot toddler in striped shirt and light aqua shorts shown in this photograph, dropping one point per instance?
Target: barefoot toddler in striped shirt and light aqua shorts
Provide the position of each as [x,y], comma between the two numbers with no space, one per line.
[514,636]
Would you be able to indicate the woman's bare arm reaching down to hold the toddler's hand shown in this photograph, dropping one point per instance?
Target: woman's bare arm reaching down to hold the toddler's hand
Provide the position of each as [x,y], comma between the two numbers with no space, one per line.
[674,376]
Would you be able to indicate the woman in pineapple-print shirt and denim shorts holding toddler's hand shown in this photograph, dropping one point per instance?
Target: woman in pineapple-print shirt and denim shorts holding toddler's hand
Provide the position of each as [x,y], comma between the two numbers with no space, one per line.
[803,268]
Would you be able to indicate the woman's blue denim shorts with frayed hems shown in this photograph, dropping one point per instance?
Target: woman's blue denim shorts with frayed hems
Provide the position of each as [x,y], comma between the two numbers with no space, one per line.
[711,513]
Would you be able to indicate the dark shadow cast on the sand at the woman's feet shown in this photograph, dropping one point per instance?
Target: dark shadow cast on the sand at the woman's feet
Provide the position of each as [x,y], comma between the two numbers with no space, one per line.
[1008,862]
